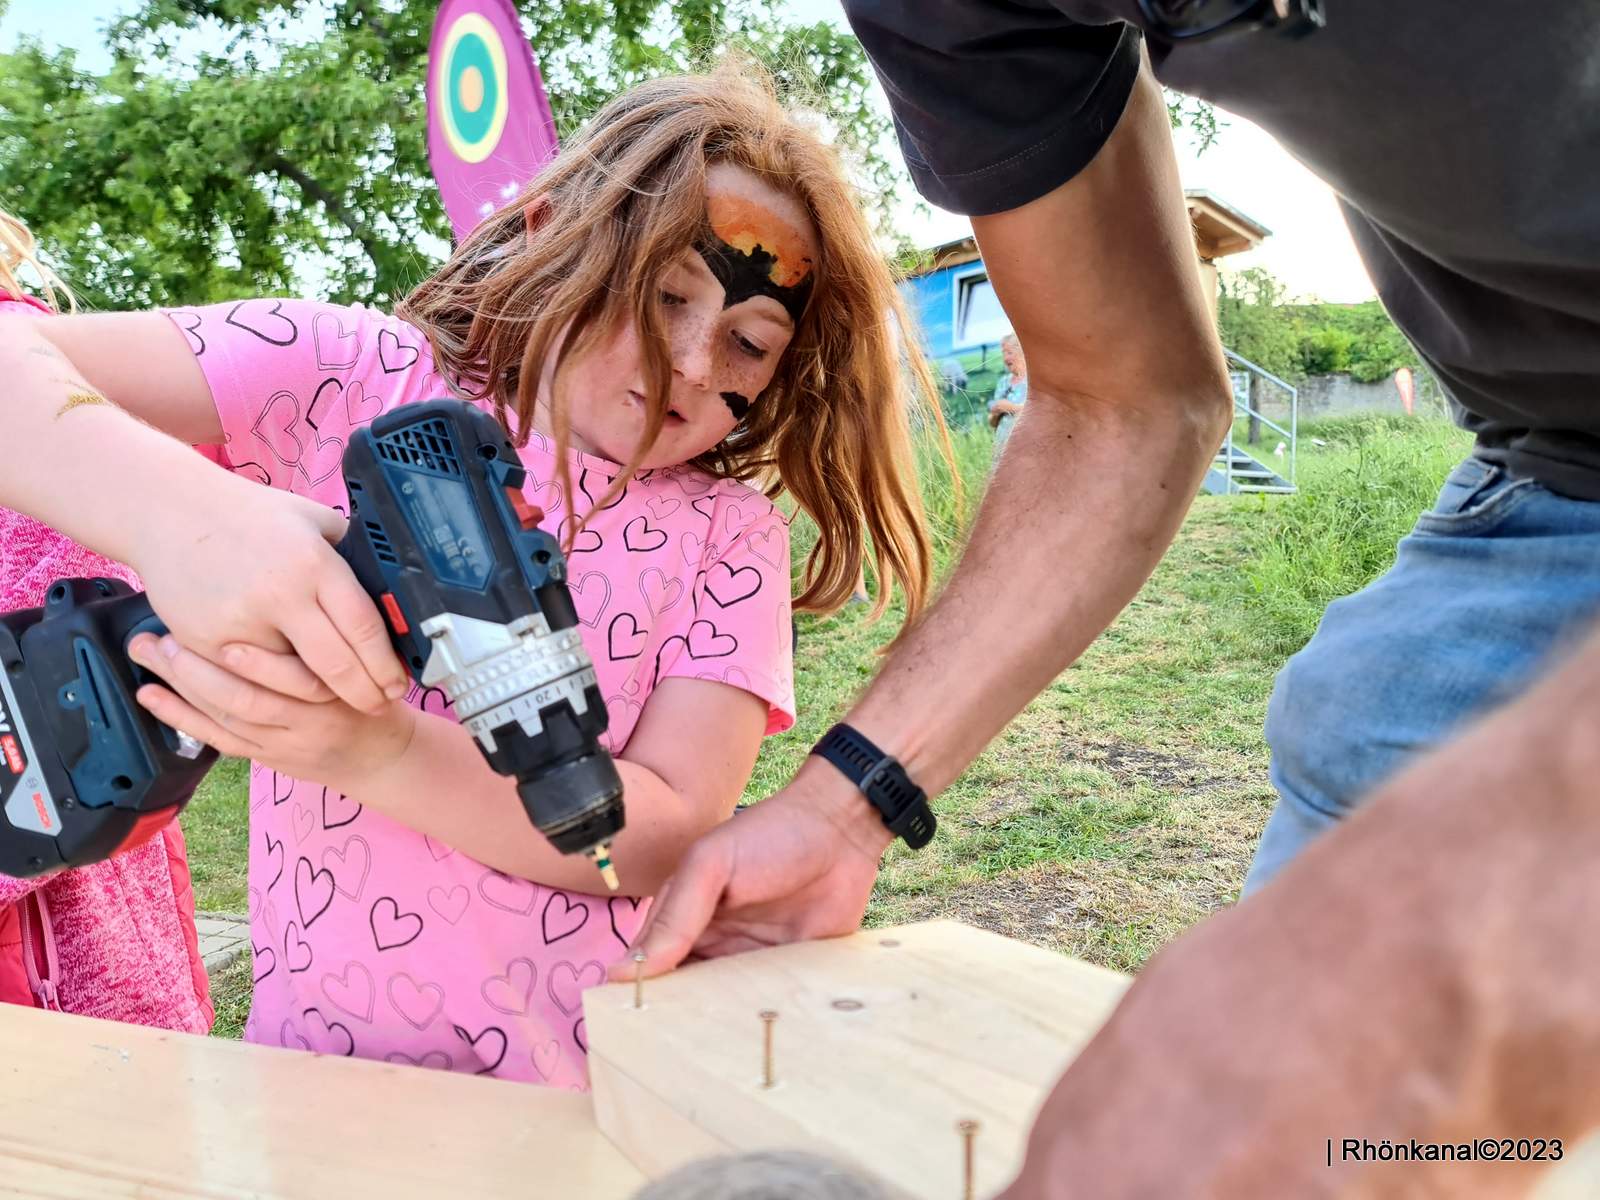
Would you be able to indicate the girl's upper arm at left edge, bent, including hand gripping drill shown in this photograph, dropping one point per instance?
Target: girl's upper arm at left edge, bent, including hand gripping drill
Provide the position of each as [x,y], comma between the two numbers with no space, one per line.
[98,415]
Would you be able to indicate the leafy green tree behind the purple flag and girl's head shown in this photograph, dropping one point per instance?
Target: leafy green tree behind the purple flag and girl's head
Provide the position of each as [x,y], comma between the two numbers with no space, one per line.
[180,178]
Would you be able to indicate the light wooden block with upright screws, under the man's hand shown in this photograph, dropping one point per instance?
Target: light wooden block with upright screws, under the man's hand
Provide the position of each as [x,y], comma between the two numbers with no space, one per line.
[886,1039]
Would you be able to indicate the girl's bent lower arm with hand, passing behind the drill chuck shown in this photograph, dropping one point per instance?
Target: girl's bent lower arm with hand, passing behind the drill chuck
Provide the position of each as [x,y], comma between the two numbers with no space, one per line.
[684,769]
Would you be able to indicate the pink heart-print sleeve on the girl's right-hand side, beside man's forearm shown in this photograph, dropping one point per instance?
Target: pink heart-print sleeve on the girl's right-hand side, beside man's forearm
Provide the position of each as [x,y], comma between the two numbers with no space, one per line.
[742,626]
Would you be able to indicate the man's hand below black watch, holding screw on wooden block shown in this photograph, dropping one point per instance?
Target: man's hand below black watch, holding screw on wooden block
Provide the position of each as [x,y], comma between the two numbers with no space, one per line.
[793,868]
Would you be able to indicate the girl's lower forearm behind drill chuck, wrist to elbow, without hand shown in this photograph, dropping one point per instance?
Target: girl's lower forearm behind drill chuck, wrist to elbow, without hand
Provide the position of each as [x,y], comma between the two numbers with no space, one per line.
[442,788]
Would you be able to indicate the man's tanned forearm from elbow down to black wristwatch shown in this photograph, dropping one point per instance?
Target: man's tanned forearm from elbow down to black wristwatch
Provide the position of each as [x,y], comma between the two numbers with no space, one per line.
[1086,502]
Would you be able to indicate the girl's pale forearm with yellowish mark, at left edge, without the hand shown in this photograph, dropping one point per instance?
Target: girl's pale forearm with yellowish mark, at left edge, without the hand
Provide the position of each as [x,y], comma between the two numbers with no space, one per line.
[79,463]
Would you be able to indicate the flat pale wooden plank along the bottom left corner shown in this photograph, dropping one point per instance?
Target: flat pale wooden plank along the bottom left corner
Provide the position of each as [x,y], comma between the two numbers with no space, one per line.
[118,1111]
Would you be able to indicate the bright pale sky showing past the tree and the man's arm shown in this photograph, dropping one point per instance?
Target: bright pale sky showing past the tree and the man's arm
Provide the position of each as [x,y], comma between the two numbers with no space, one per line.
[1310,250]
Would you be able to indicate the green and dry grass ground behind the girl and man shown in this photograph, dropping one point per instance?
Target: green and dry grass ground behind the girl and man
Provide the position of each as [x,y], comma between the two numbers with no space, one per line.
[1124,804]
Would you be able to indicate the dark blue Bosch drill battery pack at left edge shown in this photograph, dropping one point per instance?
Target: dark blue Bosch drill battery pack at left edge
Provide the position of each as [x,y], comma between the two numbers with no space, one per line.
[86,772]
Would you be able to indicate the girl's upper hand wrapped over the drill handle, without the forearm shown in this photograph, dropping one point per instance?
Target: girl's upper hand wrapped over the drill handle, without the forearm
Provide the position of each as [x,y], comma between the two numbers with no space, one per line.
[257,567]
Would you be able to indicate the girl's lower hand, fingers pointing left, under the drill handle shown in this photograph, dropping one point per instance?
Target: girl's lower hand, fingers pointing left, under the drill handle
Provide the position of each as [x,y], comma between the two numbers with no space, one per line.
[294,727]
